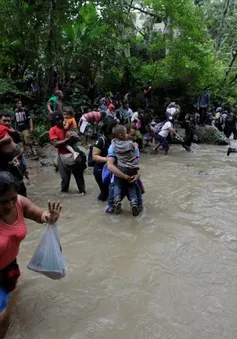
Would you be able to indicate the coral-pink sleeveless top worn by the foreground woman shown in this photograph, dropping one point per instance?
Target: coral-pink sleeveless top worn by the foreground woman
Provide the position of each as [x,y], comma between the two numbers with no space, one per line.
[11,236]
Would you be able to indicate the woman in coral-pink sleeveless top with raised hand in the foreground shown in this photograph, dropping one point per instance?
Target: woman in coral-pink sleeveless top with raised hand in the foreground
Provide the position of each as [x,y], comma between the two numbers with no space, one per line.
[13,211]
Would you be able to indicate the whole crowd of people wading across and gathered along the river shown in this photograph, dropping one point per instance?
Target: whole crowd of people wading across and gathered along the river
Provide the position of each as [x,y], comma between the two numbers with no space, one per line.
[114,136]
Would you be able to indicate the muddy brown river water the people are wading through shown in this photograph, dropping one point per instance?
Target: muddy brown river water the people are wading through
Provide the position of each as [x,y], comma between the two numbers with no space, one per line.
[171,273]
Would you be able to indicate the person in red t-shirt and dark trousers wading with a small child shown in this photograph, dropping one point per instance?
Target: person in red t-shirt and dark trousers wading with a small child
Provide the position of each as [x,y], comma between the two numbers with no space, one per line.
[57,135]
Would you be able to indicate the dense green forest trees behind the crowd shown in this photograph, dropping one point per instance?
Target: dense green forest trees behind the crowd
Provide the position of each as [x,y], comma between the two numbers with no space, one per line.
[183,47]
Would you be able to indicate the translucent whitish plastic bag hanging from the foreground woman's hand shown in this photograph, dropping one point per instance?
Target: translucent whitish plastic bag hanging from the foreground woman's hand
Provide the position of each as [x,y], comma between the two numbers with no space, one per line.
[48,258]
